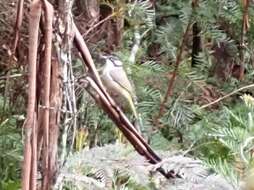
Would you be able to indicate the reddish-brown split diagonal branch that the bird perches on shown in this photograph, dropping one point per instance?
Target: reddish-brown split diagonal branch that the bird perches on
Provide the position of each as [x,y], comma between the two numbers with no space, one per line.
[109,106]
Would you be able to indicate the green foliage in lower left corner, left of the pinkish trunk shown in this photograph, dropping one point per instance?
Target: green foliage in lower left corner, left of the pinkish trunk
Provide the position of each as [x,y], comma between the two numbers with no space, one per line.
[11,151]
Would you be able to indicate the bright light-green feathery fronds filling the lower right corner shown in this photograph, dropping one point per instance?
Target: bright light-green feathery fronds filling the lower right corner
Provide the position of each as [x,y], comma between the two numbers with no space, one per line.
[226,140]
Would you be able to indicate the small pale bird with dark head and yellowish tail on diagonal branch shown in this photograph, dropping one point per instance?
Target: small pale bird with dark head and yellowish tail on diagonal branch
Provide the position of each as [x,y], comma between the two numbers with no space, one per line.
[117,84]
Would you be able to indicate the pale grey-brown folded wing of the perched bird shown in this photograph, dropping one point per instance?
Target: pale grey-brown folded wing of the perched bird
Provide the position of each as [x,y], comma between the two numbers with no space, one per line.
[120,77]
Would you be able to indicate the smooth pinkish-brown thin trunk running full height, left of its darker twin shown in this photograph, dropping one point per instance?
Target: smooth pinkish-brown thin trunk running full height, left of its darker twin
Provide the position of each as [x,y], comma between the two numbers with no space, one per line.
[29,126]
